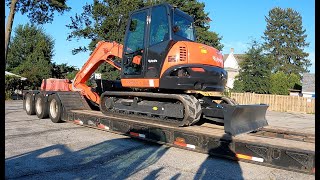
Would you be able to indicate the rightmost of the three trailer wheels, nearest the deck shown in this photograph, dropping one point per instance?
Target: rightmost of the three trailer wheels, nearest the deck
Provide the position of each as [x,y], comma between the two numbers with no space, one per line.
[55,108]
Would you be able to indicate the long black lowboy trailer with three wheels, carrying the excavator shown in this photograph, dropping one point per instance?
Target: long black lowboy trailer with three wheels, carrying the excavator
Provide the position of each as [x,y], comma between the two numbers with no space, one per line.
[269,146]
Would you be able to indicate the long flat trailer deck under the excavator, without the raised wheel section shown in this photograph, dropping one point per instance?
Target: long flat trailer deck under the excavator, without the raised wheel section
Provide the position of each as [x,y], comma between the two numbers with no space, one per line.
[270,146]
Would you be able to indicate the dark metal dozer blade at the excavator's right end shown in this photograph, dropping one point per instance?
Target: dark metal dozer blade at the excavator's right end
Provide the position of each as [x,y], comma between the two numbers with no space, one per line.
[240,119]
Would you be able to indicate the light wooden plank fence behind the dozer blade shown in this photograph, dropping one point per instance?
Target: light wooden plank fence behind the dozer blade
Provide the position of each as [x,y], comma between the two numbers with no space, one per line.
[277,102]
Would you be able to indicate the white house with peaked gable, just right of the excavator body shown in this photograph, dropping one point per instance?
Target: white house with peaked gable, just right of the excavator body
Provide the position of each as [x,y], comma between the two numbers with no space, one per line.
[231,65]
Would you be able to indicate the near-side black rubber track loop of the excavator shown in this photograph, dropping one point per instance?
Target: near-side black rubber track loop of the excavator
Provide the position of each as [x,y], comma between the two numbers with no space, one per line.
[192,107]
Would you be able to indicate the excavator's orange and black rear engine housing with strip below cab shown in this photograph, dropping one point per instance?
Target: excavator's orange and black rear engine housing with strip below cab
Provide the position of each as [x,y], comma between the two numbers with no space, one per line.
[203,62]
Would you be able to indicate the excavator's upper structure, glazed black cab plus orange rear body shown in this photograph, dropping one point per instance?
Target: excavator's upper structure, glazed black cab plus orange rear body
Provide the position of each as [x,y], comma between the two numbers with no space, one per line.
[160,52]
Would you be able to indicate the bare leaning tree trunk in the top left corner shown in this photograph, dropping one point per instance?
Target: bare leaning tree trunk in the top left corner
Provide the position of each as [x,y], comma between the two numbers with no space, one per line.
[9,26]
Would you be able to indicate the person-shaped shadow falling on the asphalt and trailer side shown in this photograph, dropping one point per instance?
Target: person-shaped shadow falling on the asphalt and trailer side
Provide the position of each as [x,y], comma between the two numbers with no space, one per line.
[217,167]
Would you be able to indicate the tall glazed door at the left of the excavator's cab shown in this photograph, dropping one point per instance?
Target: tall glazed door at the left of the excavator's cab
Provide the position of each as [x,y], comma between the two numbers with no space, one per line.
[134,50]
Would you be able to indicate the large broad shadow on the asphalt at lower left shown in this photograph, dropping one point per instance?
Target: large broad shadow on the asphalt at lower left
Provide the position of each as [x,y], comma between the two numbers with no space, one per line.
[113,159]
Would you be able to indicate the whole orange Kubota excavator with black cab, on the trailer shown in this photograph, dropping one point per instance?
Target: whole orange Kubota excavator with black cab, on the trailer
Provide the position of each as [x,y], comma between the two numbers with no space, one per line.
[165,75]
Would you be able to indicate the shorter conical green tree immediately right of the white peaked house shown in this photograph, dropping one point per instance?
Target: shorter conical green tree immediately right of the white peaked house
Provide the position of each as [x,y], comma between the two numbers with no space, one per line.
[255,71]
